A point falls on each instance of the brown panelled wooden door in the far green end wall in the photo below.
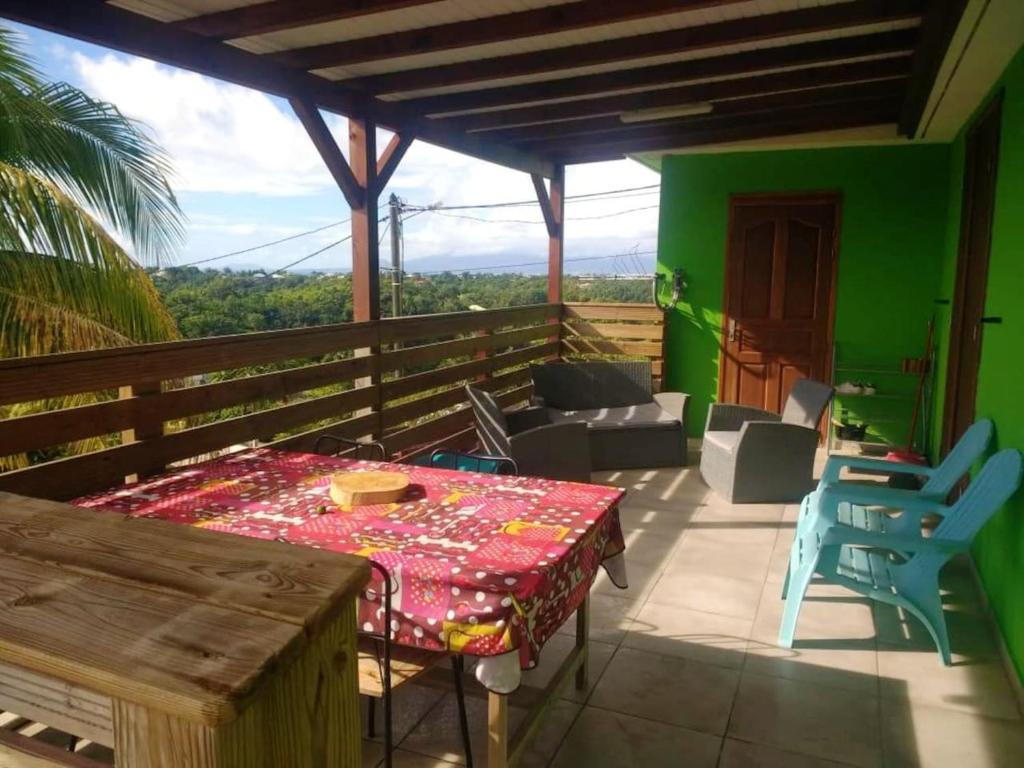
(779, 297)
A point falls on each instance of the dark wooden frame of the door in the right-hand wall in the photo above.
(958, 311)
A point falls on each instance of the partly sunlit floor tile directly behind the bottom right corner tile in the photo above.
(973, 687)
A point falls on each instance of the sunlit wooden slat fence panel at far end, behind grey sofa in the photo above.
(593, 331)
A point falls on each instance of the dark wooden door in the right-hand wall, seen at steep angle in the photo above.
(980, 166)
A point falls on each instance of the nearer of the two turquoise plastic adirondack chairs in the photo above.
(899, 569)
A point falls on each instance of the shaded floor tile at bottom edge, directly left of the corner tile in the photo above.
(808, 718)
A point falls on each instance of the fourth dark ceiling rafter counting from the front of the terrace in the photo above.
(747, 63)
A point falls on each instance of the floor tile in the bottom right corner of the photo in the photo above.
(917, 737)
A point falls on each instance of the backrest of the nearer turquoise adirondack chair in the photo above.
(993, 487)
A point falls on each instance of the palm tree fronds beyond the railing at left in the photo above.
(76, 178)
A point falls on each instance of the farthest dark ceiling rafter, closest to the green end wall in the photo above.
(775, 124)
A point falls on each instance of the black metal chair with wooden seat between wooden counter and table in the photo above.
(385, 667)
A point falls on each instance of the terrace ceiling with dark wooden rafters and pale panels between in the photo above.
(535, 83)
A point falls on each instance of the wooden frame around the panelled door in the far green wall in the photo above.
(833, 198)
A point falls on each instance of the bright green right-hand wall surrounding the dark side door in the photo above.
(1000, 548)
